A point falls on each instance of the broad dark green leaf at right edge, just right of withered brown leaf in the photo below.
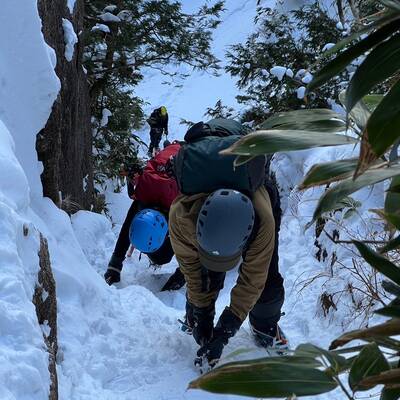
(383, 127)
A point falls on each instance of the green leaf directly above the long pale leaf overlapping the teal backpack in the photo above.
(303, 118)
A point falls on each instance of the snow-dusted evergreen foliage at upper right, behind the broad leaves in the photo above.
(293, 41)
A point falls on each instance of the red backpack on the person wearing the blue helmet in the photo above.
(155, 186)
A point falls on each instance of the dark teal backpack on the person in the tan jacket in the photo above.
(199, 167)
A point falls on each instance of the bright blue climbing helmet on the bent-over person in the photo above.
(148, 230)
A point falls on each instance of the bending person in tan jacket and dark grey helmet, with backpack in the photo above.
(226, 218)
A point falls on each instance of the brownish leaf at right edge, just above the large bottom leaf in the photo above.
(377, 333)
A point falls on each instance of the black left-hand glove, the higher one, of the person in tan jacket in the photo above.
(201, 320)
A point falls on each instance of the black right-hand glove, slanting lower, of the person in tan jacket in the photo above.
(228, 324)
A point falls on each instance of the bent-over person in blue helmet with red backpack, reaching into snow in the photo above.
(145, 227)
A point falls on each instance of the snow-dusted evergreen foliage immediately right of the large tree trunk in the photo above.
(120, 42)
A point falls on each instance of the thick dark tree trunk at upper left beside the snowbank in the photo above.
(65, 144)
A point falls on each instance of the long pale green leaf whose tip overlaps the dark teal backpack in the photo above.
(272, 141)
